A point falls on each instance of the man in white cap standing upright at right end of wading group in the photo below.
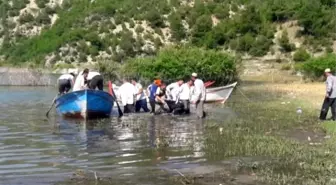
(199, 95)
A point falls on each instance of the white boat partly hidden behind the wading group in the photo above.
(219, 94)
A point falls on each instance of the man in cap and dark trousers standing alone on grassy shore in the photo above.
(330, 96)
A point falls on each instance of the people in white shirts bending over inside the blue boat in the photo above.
(85, 80)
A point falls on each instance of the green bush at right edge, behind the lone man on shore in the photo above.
(315, 67)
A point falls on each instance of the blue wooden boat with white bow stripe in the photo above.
(86, 104)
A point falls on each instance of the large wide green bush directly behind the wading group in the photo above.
(178, 63)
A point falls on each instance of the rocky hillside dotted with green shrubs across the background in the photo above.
(50, 32)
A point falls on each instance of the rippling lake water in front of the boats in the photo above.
(35, 150)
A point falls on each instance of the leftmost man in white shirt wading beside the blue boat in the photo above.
(127, 93)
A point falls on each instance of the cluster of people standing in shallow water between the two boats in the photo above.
(174, 98)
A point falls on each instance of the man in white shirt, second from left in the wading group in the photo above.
(141, 100)
